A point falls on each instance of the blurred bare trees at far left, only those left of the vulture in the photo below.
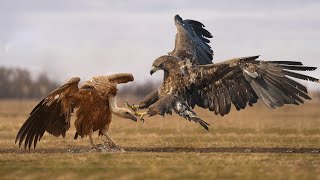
(17, 83)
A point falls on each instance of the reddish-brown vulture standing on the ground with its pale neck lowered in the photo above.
(95, 101)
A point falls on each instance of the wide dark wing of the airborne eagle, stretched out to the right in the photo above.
(242, 81)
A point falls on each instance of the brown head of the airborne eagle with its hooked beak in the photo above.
(165, 63)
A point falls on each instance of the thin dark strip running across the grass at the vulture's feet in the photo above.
(278, 150)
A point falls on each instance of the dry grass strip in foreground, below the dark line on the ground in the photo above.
(163, 166)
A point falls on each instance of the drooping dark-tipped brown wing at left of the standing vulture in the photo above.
(52, 114)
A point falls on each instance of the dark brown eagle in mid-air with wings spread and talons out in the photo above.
(190, 79)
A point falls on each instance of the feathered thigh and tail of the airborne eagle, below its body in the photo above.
(169, 102)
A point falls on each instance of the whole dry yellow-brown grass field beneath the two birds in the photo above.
(256, 143)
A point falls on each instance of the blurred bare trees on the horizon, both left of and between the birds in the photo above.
(17, 83)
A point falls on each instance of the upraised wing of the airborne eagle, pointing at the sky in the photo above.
(192, 41)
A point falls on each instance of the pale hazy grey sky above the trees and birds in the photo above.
(83, 38)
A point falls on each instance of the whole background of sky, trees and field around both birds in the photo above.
(43, 43)
